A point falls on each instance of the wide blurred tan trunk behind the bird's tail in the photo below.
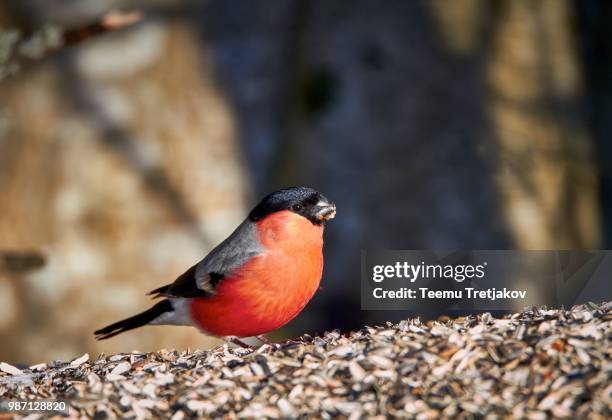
(119, 162)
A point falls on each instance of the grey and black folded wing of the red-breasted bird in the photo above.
(203, 278)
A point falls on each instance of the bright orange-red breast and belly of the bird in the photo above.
(270, 289)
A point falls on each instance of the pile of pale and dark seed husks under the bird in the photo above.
(534, 364)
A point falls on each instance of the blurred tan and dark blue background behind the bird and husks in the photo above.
(126, 154)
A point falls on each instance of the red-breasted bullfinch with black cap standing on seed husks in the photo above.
(255, 281)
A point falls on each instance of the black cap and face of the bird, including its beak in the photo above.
(300, 200)
